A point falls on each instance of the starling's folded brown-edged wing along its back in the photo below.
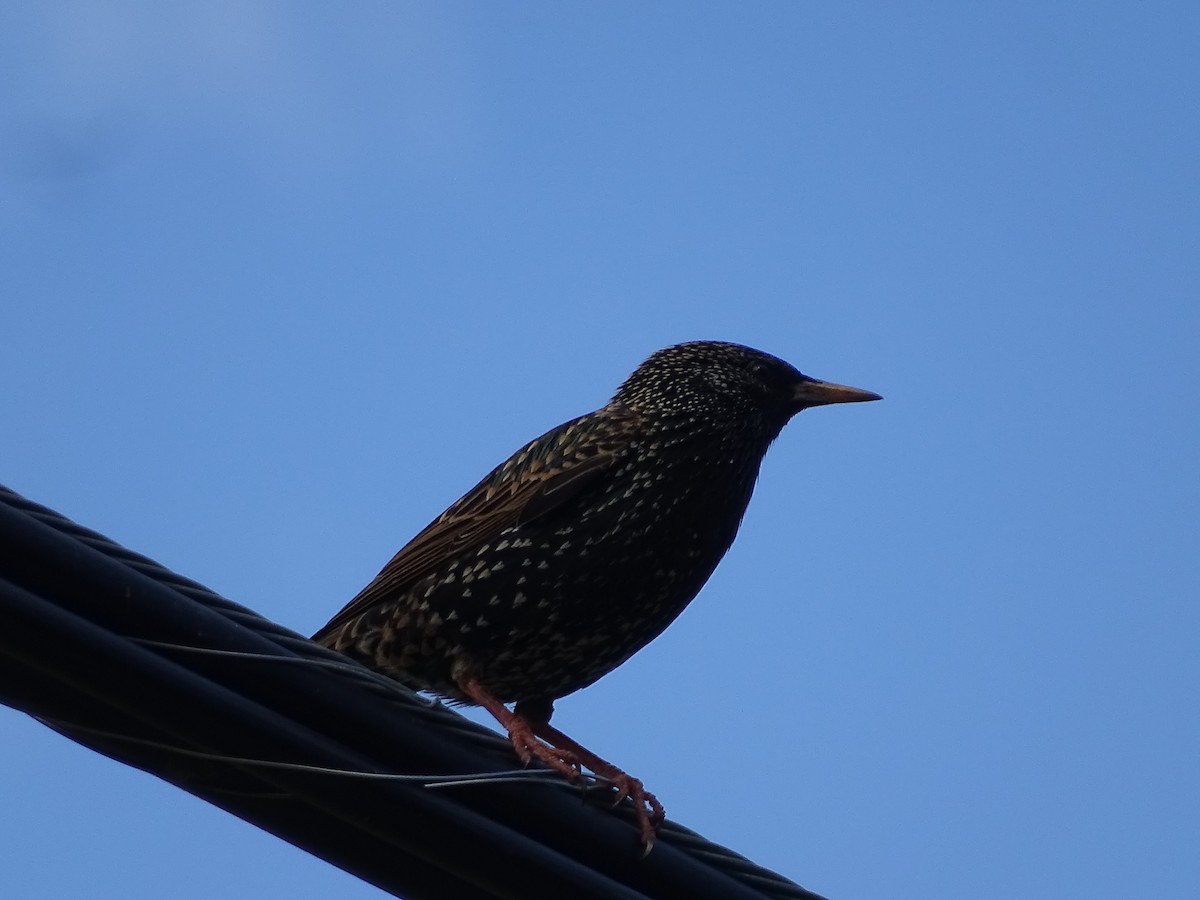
(543, 476)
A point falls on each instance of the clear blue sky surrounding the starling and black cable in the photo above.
(280, 281)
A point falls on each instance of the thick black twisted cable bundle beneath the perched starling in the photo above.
(151, 669)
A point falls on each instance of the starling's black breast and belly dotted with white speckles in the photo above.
(553, 605)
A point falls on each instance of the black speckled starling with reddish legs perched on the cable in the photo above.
(583, 548)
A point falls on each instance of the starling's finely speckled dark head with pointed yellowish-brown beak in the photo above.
(721, 382)
